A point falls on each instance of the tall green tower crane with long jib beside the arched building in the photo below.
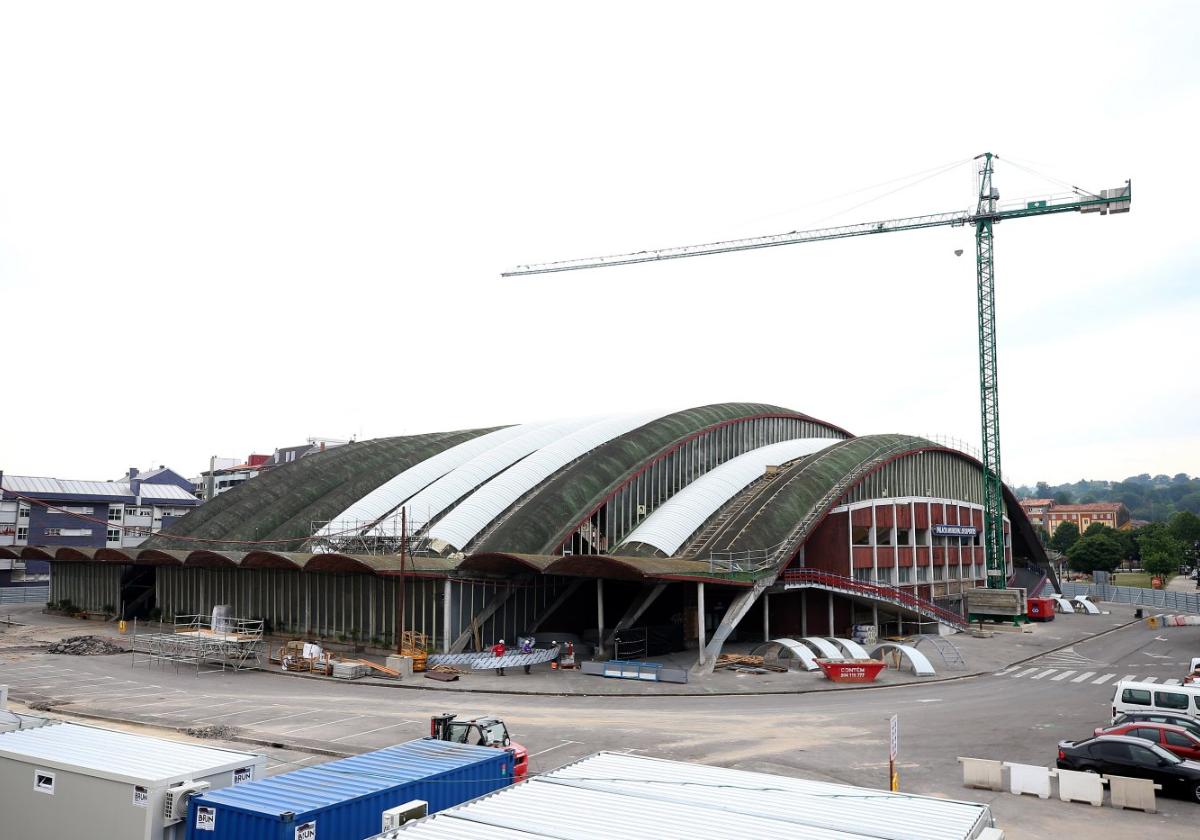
(988, 213)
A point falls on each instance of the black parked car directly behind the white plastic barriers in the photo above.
(1125, 757)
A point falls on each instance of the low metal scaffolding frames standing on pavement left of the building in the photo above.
(199, 643)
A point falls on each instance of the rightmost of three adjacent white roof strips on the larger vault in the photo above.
(477, 512)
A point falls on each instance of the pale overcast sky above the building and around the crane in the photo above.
(226, 227)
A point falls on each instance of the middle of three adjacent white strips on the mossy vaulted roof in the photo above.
(443, 494)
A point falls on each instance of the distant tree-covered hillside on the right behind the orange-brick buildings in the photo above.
(1153, 499)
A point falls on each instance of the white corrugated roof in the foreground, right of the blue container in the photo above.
(617, 795)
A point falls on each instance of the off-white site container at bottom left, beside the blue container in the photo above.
(70, 781)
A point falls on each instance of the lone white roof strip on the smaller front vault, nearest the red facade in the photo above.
(681, 517)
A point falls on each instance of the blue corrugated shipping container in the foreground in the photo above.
(344, 800)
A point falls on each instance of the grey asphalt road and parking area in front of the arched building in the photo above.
(1054, 683)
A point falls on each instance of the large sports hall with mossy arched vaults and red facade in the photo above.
(713, 525)
